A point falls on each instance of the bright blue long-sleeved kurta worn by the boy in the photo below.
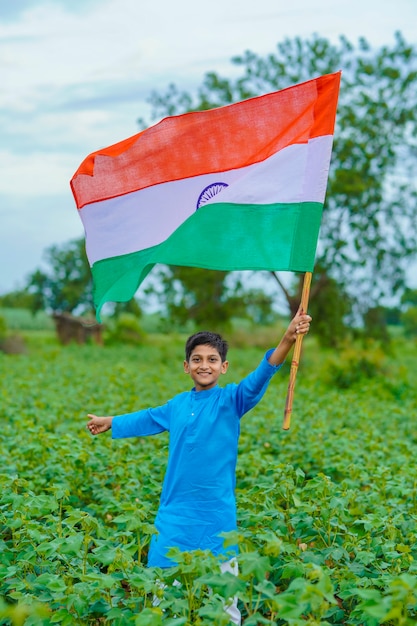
(198, 495)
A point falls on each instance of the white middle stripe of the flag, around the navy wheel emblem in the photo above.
(147, 217)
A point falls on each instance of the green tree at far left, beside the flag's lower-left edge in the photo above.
(67, 285)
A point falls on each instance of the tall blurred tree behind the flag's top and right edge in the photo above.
(367, 235)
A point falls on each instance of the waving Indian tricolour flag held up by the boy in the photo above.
(233, 188)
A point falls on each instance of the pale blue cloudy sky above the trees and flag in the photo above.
(76, 76)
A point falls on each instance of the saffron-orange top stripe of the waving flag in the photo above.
(203, 142)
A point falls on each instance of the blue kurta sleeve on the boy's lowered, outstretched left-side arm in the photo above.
(141, 423)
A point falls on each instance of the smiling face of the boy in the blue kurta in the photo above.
(205, 366)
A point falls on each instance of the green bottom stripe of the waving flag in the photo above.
(280, 237)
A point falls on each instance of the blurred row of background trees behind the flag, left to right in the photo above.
(368, 237)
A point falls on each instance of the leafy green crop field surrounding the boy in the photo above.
(327, 511)
